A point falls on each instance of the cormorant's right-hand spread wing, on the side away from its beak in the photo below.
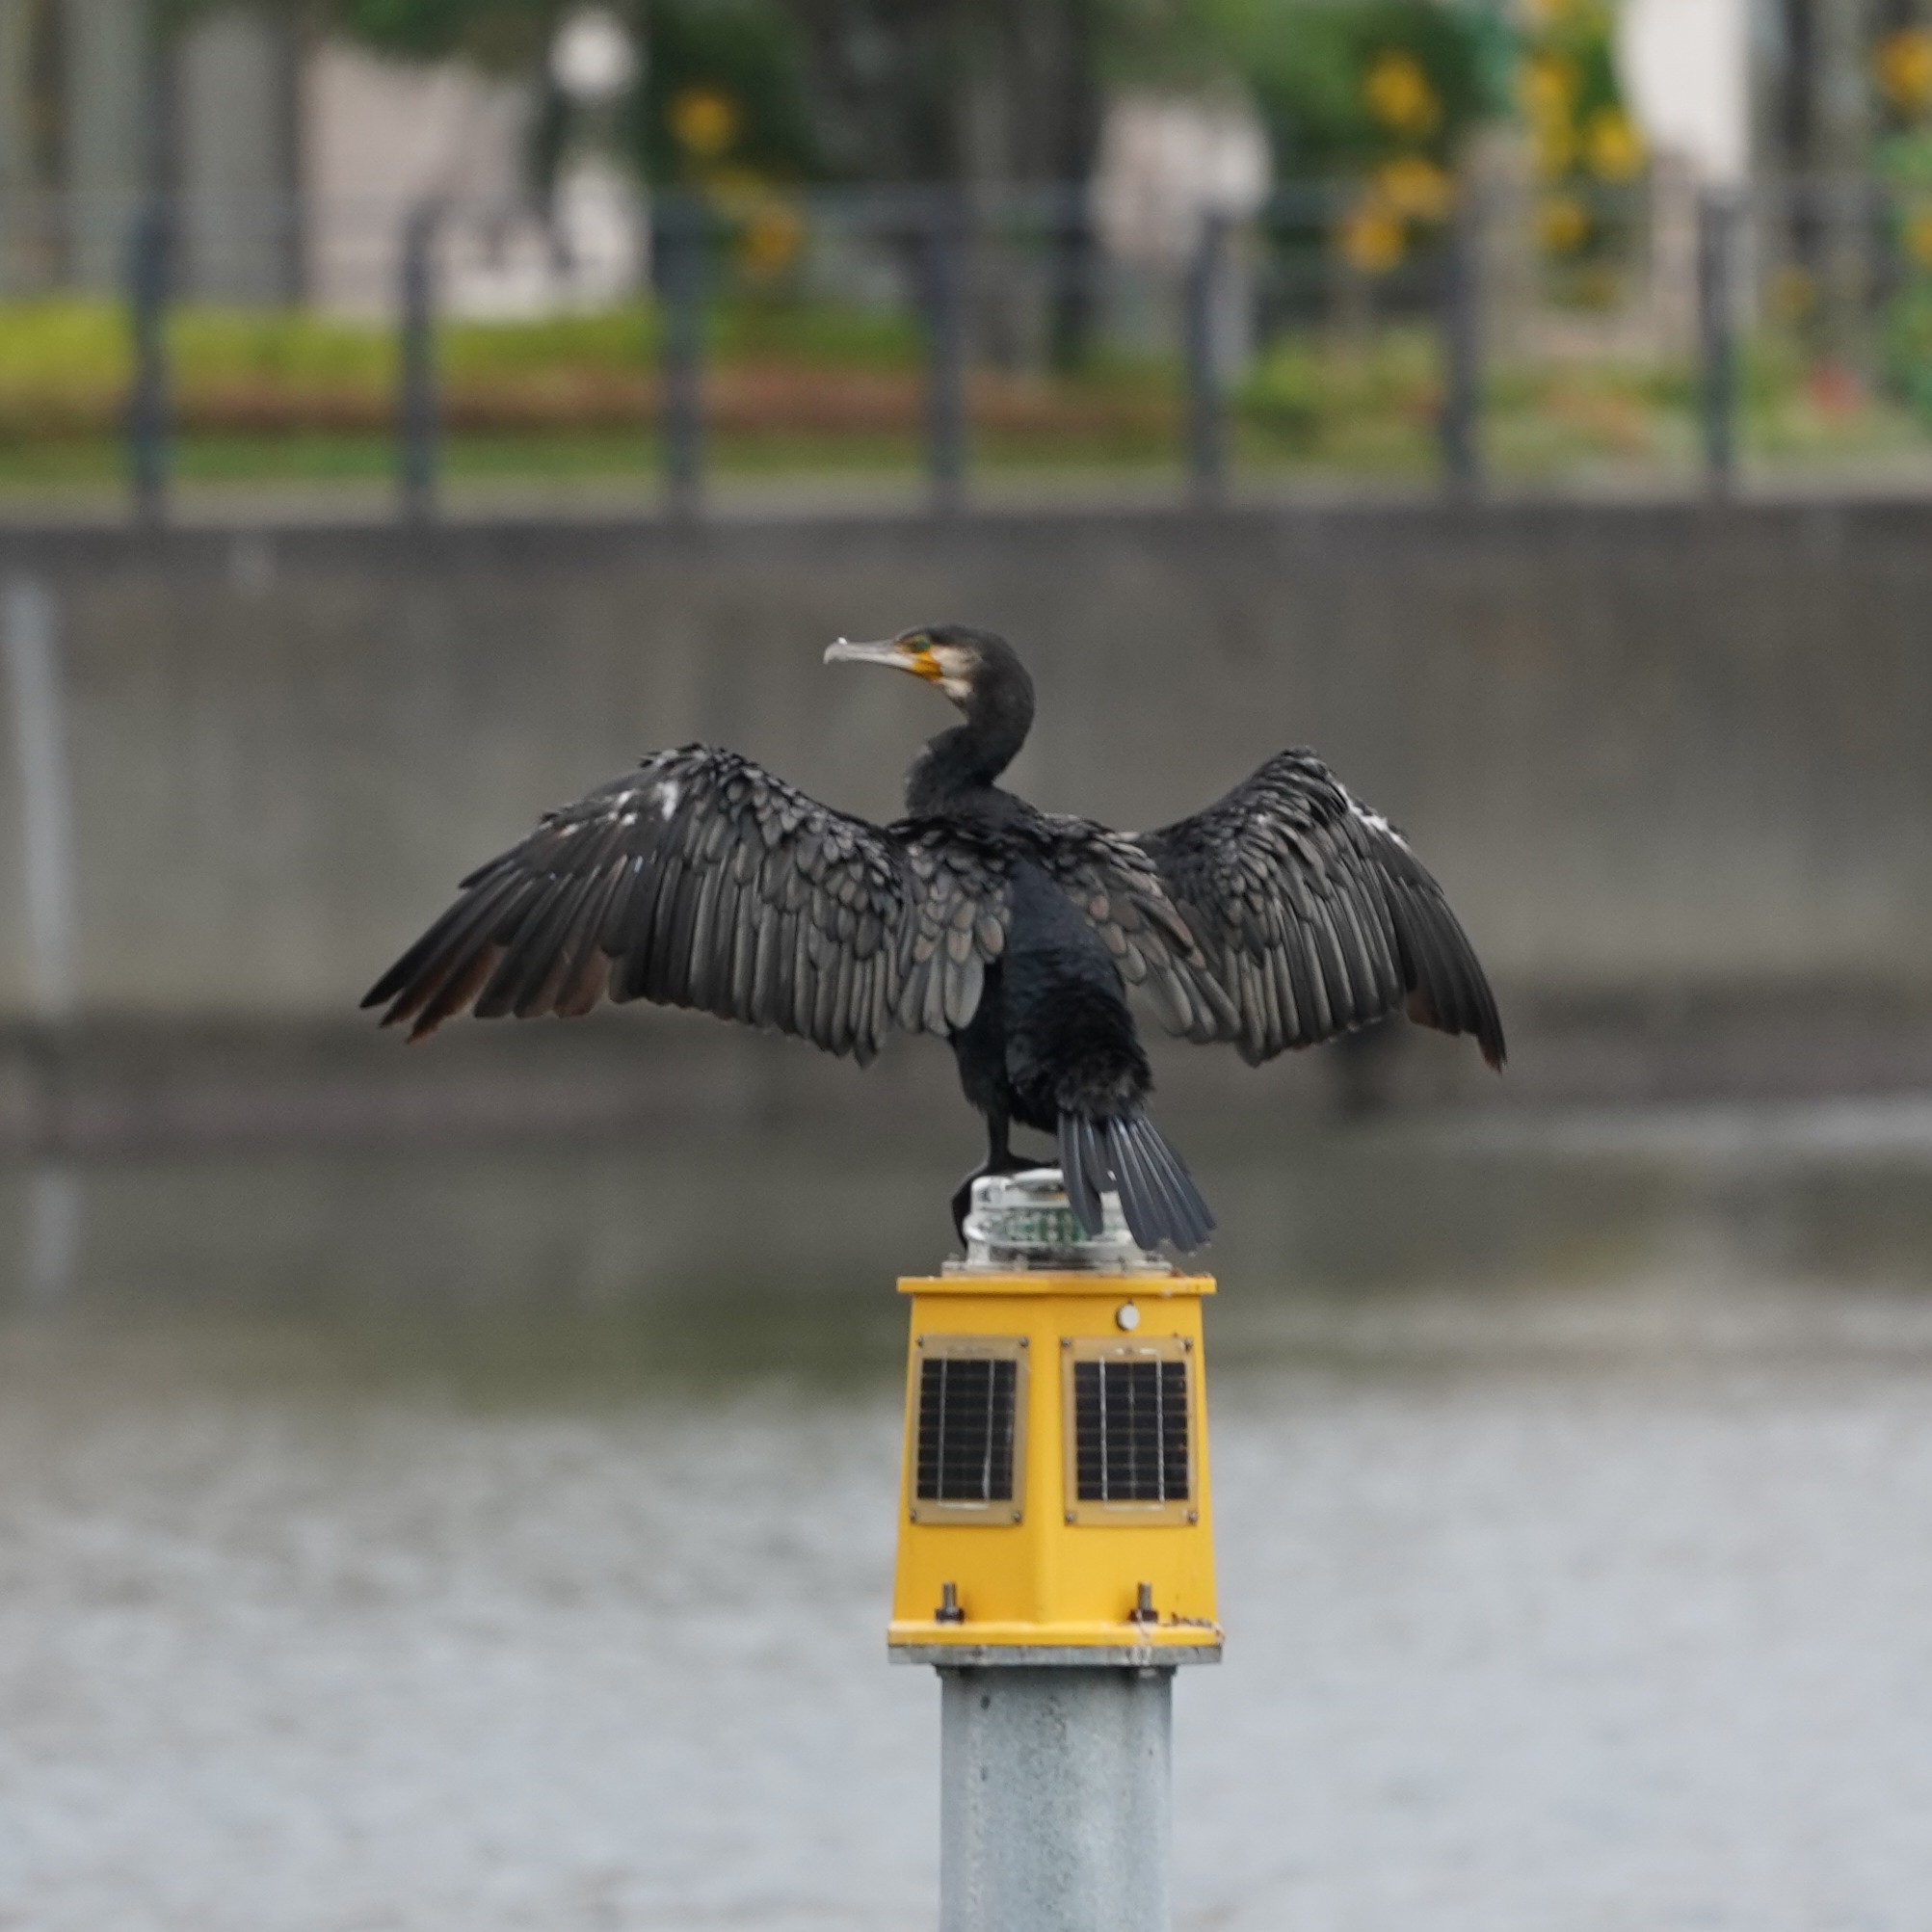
(1315, 917)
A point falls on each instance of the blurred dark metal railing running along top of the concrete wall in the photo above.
(1506, 339)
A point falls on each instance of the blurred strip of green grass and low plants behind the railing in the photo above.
(1313, 405)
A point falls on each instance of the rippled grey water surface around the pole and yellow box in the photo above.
(499, 1541)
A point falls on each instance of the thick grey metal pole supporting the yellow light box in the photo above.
(1056, 1800)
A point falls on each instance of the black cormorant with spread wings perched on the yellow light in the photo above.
(1282, 917)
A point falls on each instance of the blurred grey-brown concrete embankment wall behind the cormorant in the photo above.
(1645, 749)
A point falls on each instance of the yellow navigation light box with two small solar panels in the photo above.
(1056, 1467)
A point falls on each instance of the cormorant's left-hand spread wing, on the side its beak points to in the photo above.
(698, 880)
